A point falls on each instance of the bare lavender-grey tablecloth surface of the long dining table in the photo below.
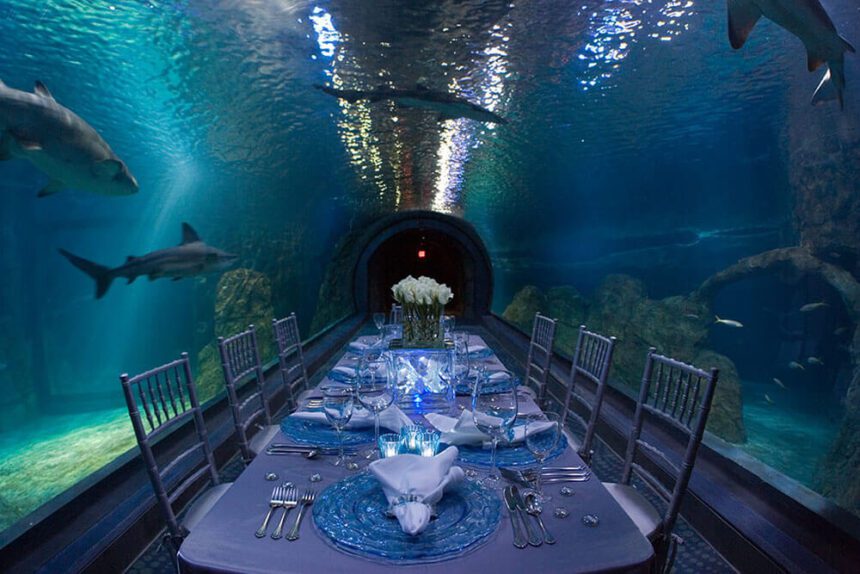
(224, 540)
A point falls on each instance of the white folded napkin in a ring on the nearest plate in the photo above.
(412, 484)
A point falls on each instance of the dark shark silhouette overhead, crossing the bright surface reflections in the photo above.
(447, 106)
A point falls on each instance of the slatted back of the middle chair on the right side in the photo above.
(592, 359)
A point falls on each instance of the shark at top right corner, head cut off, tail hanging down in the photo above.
(807, 20)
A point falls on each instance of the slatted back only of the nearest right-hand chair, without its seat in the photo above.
(681, 395)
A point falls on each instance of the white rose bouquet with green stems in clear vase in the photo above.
(423, 302)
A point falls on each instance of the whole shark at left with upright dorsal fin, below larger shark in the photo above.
(191, 257)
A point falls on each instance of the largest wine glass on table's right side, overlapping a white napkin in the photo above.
(494, 414)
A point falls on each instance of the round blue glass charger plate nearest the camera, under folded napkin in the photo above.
(351, 515)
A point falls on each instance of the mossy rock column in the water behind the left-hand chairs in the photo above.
(243, 297)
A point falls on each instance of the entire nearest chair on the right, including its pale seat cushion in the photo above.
(679, 395)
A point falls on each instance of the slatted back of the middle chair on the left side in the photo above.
(240, 360)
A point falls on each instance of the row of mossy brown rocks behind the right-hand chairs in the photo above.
(676, 326)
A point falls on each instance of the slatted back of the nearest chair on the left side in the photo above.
(159, 401)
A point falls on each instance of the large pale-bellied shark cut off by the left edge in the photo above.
(33, 126)
